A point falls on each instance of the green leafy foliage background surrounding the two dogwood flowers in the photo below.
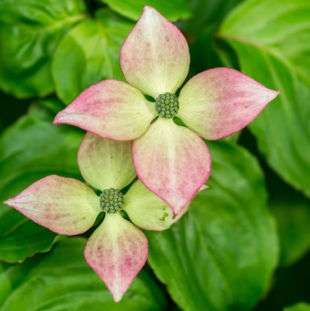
(244, 244)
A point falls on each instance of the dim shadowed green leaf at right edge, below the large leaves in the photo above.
(293, 219)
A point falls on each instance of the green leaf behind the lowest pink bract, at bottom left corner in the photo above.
(62, 281)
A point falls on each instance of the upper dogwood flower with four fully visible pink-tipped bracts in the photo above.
(170, 160)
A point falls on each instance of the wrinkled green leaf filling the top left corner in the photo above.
(29, 33)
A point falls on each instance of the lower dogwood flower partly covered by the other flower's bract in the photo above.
(117, 249)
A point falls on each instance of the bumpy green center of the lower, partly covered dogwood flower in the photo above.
(111, 200)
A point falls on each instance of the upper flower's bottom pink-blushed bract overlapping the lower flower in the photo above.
(172, 162)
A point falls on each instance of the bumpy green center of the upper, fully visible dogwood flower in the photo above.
(167, 105)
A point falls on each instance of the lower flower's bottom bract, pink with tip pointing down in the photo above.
(117, 251)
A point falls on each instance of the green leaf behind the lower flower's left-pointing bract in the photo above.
(29, 150)
